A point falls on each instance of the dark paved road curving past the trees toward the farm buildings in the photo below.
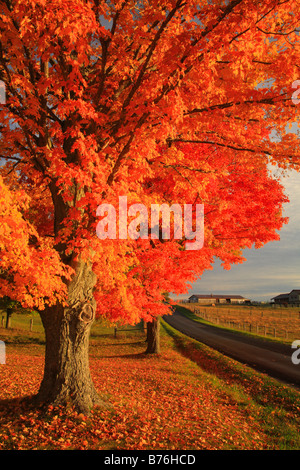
(271, 358)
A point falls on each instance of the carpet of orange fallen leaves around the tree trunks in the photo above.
(158, 402)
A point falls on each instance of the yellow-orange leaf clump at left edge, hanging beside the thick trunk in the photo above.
(30, 268)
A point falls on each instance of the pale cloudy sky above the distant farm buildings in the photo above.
(269, 271)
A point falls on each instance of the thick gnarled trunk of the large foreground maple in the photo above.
(67, 376)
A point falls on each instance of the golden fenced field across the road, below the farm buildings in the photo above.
(280, 322)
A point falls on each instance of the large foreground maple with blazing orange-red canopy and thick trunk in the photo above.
(161, 102)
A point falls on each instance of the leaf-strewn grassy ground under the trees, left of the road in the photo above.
(188, 397)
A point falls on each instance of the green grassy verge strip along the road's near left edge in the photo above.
(275, 406)
